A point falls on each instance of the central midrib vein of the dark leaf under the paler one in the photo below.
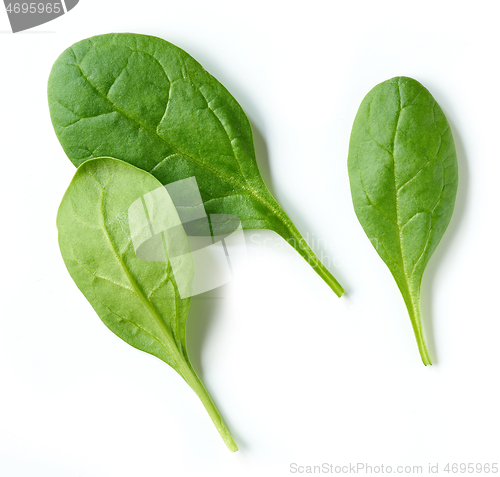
(176, 150)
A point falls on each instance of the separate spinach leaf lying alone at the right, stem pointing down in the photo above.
(404, 175)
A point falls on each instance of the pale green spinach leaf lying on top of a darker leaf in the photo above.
(136, 299)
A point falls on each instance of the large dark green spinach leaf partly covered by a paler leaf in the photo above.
(143, 100)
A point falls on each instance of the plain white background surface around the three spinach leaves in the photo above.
(299, 375)
